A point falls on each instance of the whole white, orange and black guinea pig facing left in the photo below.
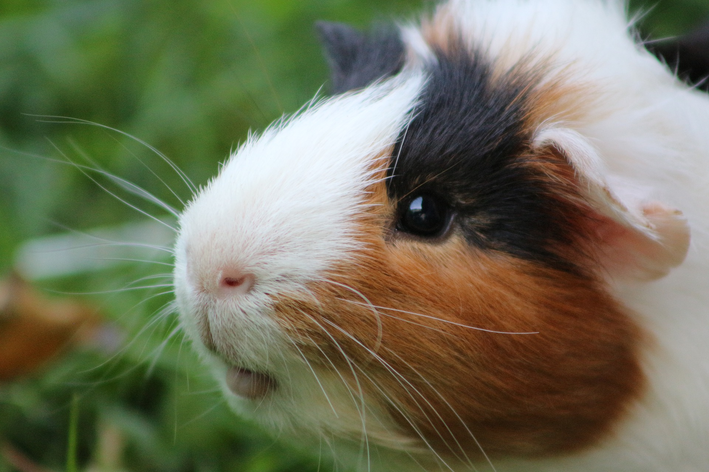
(475, 255)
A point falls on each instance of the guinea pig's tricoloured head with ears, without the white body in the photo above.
(423, 261)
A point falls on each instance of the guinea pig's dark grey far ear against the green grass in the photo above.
(357, 59)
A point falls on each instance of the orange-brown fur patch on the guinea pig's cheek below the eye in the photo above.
(429, 330)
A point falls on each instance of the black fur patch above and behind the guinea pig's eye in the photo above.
(466, 145)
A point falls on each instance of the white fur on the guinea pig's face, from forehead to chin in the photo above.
(283, 208)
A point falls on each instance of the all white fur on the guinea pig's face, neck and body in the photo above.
(283, 208)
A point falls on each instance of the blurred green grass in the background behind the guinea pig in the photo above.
(190, 78)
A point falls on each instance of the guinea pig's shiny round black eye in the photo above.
(424, 215)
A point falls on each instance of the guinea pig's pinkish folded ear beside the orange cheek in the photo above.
(639, 238)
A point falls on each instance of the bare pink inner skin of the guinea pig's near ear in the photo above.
(644, 254)
